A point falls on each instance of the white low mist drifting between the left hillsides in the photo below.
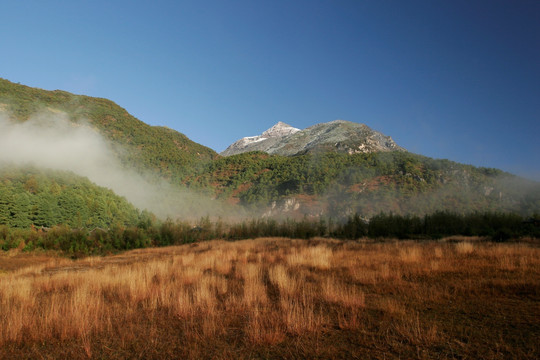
(51, 140)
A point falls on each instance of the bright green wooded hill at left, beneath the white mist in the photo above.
(32, 196)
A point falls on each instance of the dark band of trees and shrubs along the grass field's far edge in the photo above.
(77, 242)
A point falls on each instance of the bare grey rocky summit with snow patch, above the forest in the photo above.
(336, 136)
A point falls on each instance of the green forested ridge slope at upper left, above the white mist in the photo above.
(159, 149)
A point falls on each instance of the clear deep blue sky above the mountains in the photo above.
(455, 79)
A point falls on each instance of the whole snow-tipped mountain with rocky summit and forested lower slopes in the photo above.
(340, 168)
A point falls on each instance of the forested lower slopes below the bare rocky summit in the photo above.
(340, 184)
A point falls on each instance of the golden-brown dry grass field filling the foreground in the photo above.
(276, 298)
